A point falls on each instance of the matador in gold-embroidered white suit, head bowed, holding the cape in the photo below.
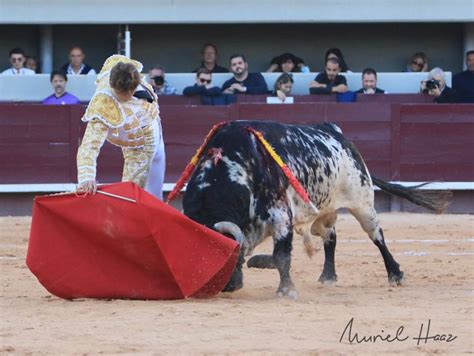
(128, 119)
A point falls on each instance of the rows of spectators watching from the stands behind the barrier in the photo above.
(328, 81)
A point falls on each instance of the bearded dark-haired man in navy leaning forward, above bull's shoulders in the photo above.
(243, 82)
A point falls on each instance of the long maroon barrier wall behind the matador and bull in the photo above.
(408, 142)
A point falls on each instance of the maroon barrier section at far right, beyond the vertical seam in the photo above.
(437, 142)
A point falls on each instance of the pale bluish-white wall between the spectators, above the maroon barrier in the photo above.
(38, 87)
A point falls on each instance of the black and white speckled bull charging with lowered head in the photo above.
(239, 190)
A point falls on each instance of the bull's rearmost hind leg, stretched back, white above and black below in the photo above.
(367, 218)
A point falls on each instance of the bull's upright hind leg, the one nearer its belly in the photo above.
(324, 227)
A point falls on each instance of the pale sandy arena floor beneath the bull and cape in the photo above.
(435, 252)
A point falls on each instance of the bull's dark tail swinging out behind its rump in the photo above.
(433, 200)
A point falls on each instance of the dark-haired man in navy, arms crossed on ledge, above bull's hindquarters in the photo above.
(329, 81)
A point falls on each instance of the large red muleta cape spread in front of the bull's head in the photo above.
(99, 246)
